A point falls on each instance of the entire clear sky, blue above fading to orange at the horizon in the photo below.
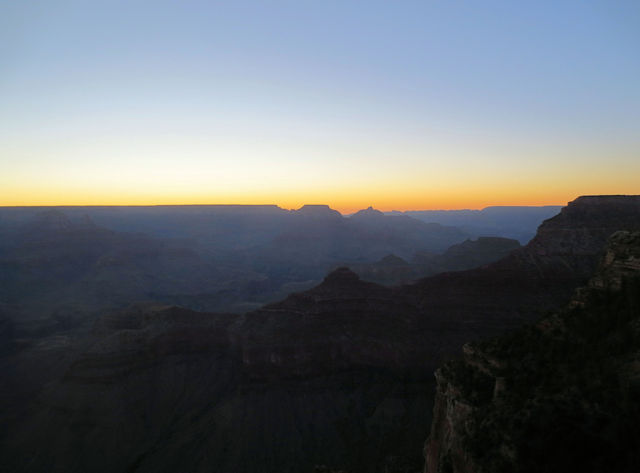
(396, 104)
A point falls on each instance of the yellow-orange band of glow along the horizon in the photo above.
(384, 196)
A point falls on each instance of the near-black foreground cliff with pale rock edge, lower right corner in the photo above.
(561, 395)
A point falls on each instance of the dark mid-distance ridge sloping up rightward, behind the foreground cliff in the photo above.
(335, 378)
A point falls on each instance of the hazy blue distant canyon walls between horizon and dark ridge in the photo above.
(58, 268)
